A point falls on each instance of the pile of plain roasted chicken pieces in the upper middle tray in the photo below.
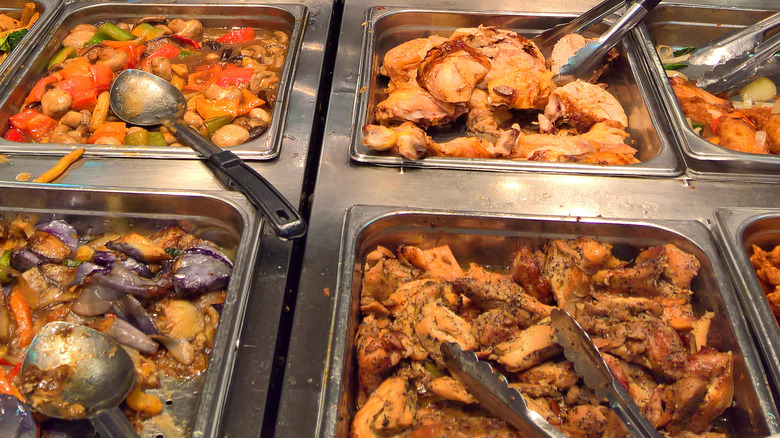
(502, 85)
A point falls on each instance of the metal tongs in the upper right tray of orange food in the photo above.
(739, 66)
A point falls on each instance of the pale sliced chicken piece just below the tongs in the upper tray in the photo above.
(582, 105)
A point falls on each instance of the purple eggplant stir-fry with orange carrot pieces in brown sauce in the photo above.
(159, 295)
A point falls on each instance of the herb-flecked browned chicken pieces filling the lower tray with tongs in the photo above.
(638, 313)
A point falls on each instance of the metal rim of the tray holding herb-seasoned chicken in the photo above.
(360, 217)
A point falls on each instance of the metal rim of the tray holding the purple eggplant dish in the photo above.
(206, 421)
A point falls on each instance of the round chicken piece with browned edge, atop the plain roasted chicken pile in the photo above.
(451, 71)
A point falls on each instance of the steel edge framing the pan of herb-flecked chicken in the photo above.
(360, 217)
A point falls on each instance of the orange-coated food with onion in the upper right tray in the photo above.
(744, 120)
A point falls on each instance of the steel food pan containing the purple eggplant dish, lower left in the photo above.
(195, 405)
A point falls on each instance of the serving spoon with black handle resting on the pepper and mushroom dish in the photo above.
(143, 99)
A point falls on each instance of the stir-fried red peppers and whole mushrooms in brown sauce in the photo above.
(230, 79)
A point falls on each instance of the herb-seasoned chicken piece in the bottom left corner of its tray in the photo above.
(390, 409)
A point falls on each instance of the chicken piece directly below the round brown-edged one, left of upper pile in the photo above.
(410, 103)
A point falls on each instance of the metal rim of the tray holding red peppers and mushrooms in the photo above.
(270, 143)
